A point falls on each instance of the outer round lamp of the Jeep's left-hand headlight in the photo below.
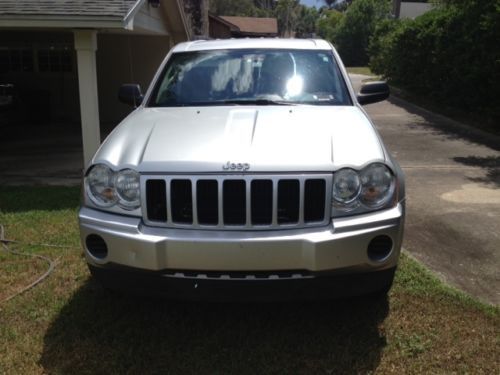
(99, 185)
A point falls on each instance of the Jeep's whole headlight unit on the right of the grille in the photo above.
(356, 192)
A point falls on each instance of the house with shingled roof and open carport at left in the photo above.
(66, 59)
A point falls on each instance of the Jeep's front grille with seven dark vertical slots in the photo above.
(236, 202)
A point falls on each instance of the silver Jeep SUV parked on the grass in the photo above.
(248, 169)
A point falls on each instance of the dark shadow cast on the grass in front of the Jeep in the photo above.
(98, 332)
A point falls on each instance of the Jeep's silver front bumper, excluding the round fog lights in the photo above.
(340, 247)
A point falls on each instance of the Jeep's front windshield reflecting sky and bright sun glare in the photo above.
(238, 77)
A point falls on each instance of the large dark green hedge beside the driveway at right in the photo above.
(449, 54)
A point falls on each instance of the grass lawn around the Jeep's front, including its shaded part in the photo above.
(68, 324)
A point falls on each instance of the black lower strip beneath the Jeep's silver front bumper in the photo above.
(323, 285)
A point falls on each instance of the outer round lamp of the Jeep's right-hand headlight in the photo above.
(377, 185)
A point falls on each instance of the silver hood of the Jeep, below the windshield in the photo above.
(267, 139)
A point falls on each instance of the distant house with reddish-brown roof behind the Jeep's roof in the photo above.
(221, 27)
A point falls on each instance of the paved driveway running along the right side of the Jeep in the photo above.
(453, 193)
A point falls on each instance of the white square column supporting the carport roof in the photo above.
(85, 46)
